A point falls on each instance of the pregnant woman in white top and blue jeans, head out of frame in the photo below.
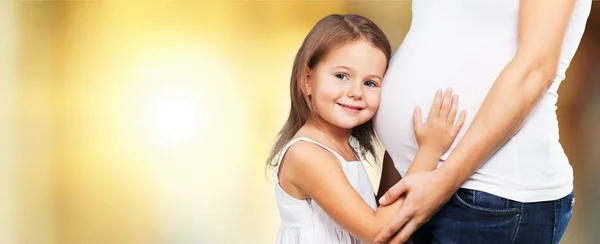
(506, 179)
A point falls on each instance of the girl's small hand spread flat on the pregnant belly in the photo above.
(438, 133)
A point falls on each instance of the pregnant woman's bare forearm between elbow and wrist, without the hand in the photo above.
(511, 99)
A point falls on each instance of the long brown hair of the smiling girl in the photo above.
(329, 33)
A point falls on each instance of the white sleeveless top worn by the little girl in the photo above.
(303, 221)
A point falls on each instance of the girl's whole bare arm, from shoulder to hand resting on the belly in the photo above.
(318, 173)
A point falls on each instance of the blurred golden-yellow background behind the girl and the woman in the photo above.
(149, 121)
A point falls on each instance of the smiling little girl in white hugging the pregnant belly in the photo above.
(323, 191)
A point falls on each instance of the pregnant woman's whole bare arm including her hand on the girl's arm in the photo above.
(518, 88)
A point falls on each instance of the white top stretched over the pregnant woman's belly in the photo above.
(465, 44)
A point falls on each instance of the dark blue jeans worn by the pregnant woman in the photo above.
(477, 217)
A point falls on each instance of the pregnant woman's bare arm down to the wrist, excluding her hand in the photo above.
(520, 86)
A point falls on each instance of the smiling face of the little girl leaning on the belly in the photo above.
(345, 87)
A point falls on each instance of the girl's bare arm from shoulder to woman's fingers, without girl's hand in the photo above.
(318, 174)
